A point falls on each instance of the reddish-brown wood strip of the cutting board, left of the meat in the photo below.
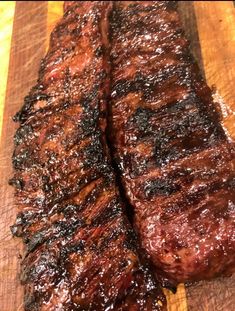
(28, 47)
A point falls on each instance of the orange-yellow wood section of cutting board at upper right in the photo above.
(216, 28)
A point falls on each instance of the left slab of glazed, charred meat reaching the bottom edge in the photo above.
(81, 253)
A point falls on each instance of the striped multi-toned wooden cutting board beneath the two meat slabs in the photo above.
(25, 27)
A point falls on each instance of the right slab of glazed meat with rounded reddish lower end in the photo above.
(176, 163)
